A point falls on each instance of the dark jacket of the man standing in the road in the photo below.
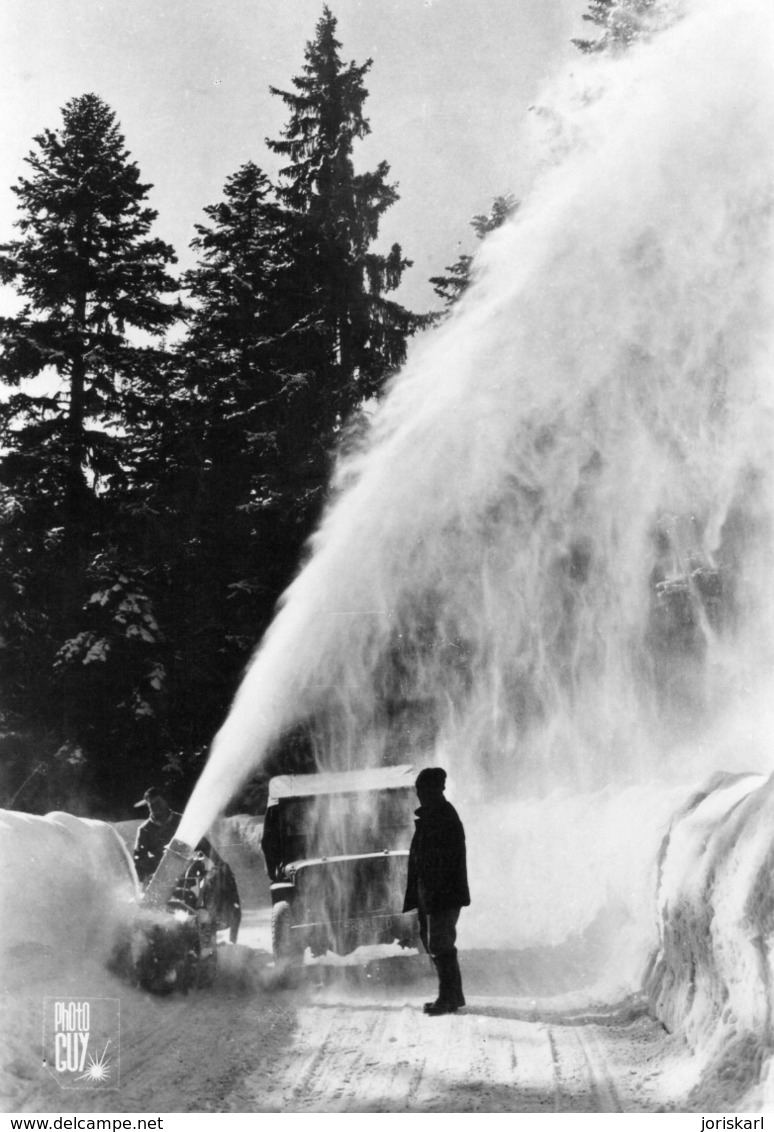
(437, 864)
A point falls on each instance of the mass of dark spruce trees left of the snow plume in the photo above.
(156, 499)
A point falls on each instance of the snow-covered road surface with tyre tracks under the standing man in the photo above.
(354, 1039)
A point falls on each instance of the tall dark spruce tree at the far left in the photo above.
(89, 275)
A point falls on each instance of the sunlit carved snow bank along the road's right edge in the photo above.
(712, 976)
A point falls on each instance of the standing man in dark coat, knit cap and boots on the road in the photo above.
(437, 886)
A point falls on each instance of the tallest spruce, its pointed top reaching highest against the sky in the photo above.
(349, 336)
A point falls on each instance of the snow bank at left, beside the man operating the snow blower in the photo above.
(66, 885)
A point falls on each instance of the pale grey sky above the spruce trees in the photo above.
(188, 80)
